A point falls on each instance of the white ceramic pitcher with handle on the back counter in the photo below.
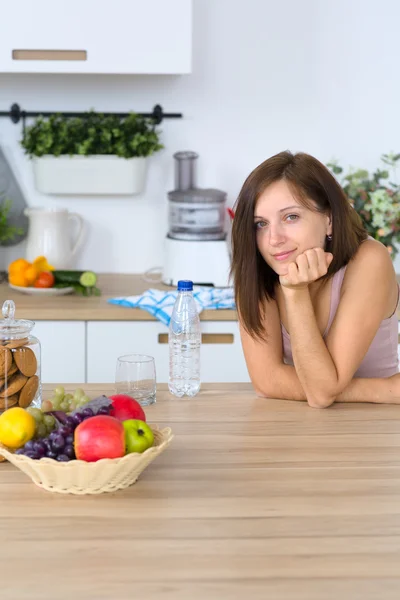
(49, 235)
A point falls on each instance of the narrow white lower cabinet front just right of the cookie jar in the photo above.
(63, 350)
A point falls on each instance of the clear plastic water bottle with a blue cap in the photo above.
(184, 343)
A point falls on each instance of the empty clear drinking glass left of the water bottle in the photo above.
(136, 376)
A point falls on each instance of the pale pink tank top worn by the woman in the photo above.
(381, 359)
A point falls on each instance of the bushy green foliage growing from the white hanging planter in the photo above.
(92, 134)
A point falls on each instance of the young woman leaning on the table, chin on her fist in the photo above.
(316, 296)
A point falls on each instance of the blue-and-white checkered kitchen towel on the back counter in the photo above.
(160, 303)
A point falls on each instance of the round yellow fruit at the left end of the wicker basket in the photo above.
(17, 427)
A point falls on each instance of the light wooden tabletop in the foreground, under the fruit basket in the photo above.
(253, 499)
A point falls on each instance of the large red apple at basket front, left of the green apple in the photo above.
(99, 437)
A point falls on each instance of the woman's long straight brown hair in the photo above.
(254, 280)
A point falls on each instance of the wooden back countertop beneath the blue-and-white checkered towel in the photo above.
(75, 308)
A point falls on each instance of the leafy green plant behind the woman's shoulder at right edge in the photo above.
(376, 199)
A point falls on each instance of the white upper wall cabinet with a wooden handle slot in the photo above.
(87, 36)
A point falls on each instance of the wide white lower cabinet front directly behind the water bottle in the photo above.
(221, 360)
